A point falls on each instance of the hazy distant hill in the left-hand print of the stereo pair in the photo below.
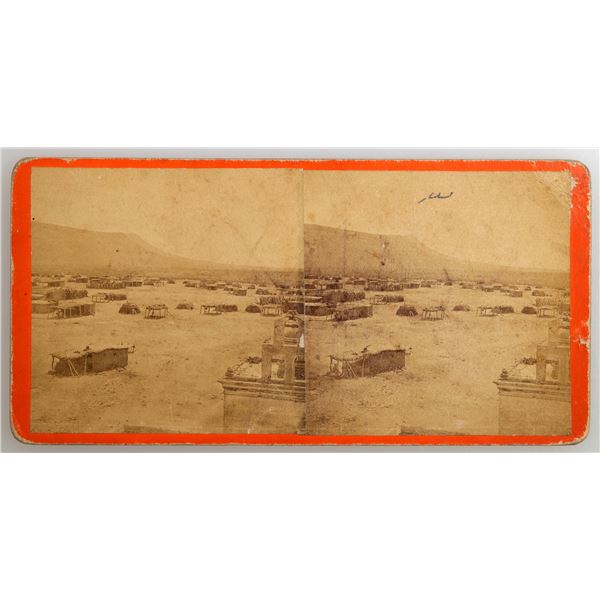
(55, 248)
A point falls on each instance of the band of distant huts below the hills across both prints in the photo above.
(336, 298)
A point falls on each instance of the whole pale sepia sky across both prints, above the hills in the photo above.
(254, 216)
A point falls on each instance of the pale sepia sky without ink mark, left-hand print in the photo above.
(235, 216)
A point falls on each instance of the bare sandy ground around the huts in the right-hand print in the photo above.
(447, 384)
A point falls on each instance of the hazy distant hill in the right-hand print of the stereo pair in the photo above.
(331, 251)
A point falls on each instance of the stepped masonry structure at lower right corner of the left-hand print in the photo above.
(267, 394)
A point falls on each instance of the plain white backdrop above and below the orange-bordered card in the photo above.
(306, 74)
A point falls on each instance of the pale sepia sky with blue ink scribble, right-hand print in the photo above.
(511, 219)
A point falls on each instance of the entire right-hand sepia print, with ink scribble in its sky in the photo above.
(437, 302)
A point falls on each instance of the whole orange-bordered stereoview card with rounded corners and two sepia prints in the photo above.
(300, 302)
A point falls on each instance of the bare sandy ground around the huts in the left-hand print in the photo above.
(171, 381)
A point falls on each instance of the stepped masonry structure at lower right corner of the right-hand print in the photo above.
(535, 398)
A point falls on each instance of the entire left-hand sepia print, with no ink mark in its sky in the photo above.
(166, 300)
